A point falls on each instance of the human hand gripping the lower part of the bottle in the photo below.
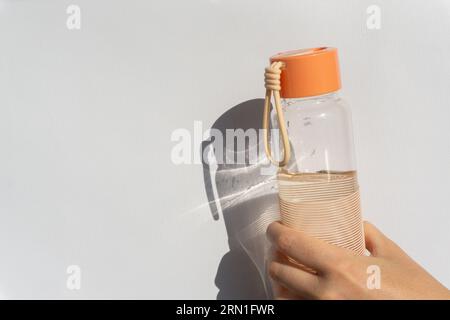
(341, 273)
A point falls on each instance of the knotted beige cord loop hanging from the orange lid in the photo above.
(273, 86)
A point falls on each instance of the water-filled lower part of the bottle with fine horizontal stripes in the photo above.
(323, 204)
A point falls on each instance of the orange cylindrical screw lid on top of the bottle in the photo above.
(308, 72)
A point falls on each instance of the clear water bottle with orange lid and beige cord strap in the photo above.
(318, 187)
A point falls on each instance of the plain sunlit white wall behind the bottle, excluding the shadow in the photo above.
(86, 118)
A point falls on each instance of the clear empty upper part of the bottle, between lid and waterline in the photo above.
(320, 132)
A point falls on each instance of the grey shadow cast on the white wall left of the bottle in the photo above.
(241, 190)
